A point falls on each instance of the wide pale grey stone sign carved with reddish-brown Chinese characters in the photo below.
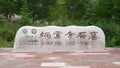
(59, 38)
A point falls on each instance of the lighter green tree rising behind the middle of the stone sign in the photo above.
(58, 13)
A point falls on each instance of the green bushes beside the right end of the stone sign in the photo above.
(112, 32)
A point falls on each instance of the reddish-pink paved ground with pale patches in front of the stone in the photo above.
(109, 58)
